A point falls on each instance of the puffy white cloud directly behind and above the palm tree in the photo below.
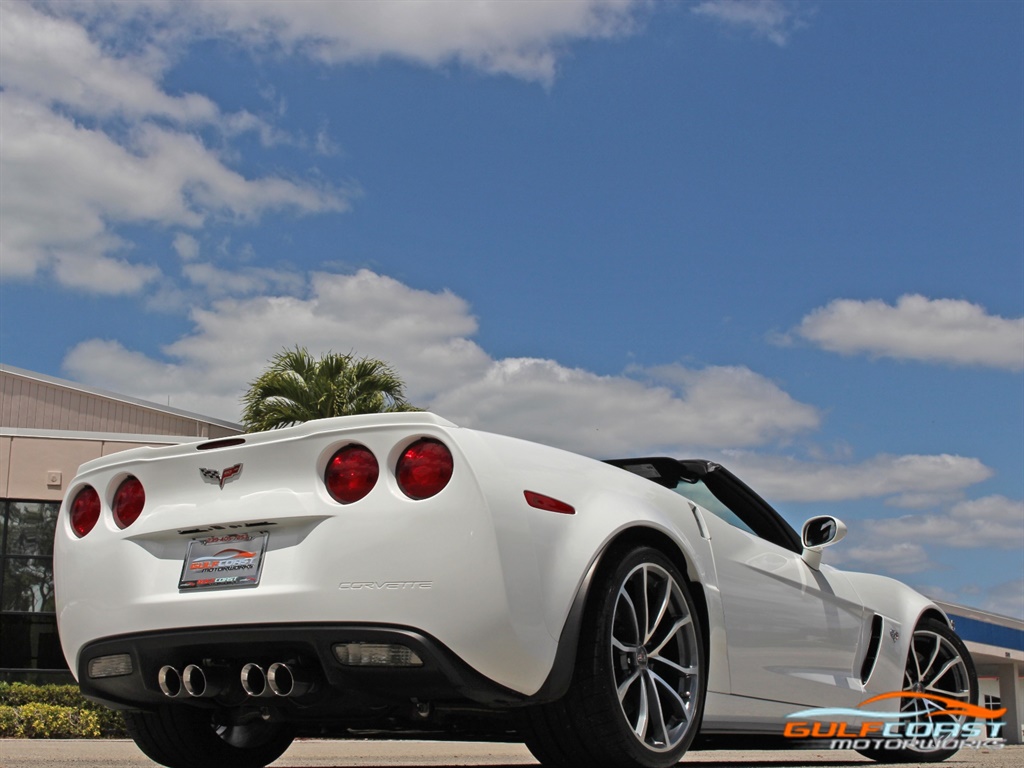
(424, 335)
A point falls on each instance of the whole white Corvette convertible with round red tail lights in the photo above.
(398, 574)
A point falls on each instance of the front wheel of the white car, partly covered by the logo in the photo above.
(937, 663)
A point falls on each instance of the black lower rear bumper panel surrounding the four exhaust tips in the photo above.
(443, 677)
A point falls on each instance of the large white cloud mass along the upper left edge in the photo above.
(92, 142)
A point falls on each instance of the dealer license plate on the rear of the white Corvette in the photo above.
(224, 562)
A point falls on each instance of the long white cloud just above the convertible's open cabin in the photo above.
(604, 415)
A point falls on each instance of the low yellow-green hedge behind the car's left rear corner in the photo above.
(55, 712)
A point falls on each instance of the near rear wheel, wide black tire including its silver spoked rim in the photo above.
(638, 687)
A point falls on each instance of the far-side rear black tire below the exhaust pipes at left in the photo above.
(182, 737)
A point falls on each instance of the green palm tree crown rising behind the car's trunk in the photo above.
(298, 388)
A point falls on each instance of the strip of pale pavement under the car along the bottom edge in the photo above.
(352, 754)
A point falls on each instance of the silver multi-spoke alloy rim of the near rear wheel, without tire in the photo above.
(655, 658)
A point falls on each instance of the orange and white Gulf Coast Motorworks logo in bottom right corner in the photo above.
(925, 722)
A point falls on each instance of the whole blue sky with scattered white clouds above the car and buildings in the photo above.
(788, 236)
